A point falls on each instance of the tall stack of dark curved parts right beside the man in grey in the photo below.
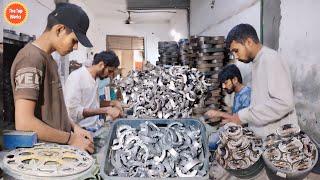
(210, 58)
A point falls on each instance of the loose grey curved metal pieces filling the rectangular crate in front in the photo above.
(150, 151)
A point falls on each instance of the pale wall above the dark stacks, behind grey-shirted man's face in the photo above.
(224, 15)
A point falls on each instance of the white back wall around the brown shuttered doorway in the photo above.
(152, 32)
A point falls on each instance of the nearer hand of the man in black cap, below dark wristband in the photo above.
(81, 142)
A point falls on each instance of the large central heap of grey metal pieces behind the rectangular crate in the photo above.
(163, 92)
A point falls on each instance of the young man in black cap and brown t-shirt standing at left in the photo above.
(38, 96)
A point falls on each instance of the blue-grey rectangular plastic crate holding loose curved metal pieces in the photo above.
(106, 166)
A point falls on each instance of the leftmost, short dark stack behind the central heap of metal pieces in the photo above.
(169, 53)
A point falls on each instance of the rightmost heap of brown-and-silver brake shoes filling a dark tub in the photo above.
(289, 149)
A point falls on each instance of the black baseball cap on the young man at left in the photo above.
(74, 18)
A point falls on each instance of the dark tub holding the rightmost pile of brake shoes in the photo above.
(275, 173)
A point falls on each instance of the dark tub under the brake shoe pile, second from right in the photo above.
(249, 172)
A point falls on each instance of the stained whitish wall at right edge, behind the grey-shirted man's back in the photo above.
(299, 43)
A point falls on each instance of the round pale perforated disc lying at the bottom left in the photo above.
(47, 161)
